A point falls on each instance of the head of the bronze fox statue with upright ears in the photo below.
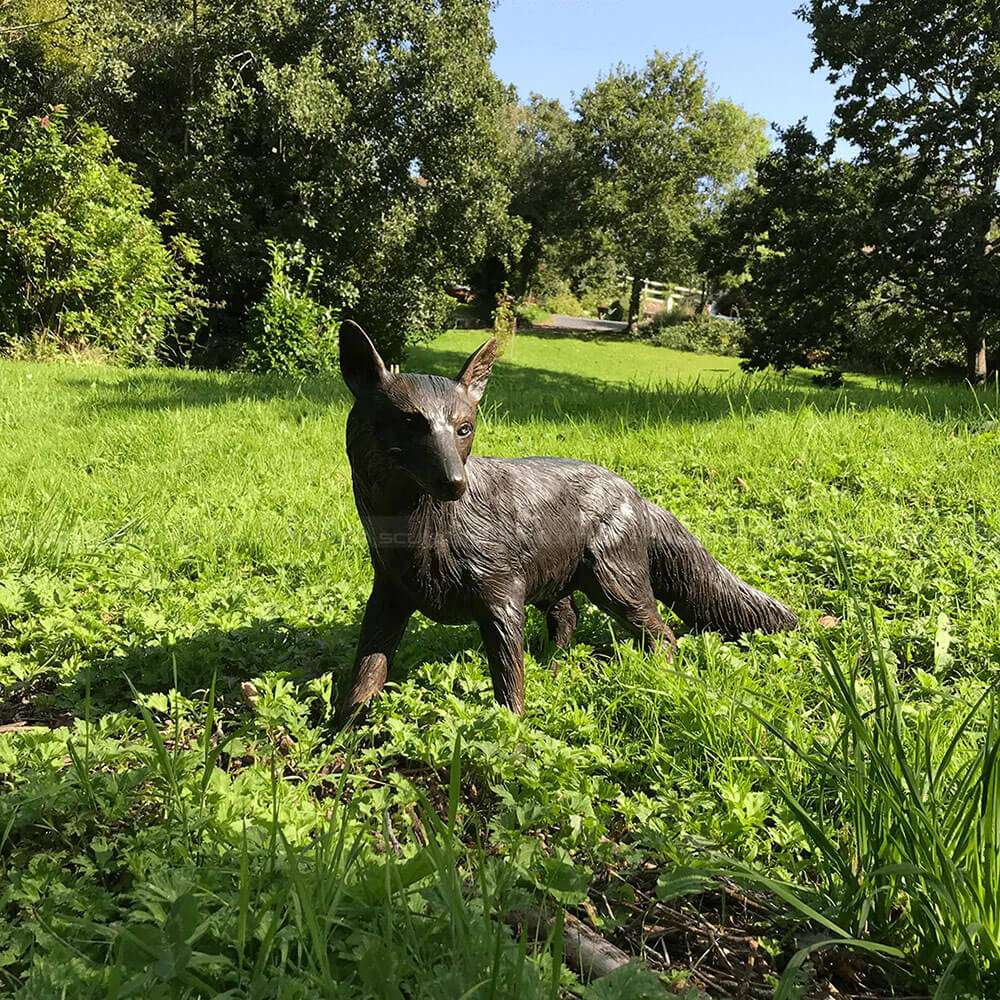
(422, 424)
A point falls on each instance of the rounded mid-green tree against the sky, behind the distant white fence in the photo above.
(664, 151)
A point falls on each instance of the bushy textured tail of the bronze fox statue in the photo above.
(701, 591)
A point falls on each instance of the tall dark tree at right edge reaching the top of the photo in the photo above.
(917, 86)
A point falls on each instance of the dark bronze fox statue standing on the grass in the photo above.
(467, 539)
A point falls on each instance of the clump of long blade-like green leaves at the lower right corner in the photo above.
(913, 856)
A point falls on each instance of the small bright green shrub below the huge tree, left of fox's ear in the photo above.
(289, 331)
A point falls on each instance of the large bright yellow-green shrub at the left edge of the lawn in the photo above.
(81, 263)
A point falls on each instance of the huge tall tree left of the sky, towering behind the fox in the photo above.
(371, 131)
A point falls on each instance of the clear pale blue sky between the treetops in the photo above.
(756, 52)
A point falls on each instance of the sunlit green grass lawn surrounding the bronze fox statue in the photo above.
(182, 576)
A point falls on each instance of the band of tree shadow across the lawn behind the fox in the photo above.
(523, 393)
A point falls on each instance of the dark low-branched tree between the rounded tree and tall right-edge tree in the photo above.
(795, 250)
